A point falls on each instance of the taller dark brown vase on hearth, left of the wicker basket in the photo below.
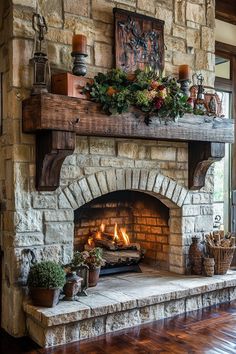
(196, 256)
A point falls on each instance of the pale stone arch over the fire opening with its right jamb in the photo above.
(151, 182)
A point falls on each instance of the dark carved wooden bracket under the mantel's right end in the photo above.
(202, 155)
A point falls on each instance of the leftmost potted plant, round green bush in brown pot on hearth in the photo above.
(45, 281)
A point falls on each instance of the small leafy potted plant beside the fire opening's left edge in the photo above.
(93, 259)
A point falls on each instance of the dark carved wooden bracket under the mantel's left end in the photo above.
(52, 147)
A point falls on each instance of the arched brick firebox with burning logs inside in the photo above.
(130, 226)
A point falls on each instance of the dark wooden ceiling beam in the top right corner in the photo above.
(226, 11)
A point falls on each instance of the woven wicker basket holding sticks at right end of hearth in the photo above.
(223, 257)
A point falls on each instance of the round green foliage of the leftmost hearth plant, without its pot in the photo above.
(46, 274)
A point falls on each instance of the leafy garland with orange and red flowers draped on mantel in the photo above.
(117, 91)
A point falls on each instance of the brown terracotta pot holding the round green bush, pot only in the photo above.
(45, 297)
